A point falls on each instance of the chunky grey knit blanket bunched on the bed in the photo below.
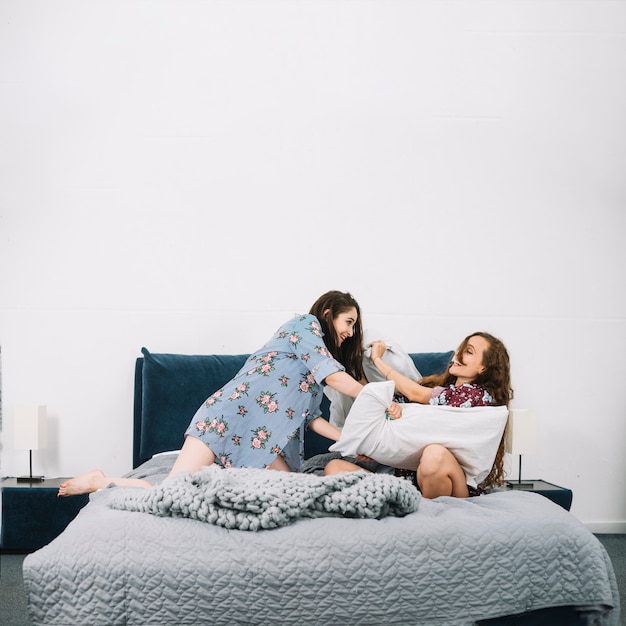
(254, 499)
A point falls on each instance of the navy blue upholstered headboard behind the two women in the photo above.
(169, 388)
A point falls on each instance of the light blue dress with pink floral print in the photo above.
(264, 409)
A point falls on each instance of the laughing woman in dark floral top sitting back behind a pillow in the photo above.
(479, 375)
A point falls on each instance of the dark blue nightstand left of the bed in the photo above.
(33, 515)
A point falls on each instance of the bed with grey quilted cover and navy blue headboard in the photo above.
(508, 557)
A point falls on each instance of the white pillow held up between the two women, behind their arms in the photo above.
(395, 357)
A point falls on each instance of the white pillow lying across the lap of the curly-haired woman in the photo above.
(472, 435)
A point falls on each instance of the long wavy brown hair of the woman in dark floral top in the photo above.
(496, 379)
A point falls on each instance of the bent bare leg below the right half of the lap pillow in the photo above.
(439, 474)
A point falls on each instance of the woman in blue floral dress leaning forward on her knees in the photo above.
(258, 418)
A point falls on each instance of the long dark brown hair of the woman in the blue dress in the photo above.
(350, 353)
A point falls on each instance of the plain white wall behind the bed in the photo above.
(185, 175)
